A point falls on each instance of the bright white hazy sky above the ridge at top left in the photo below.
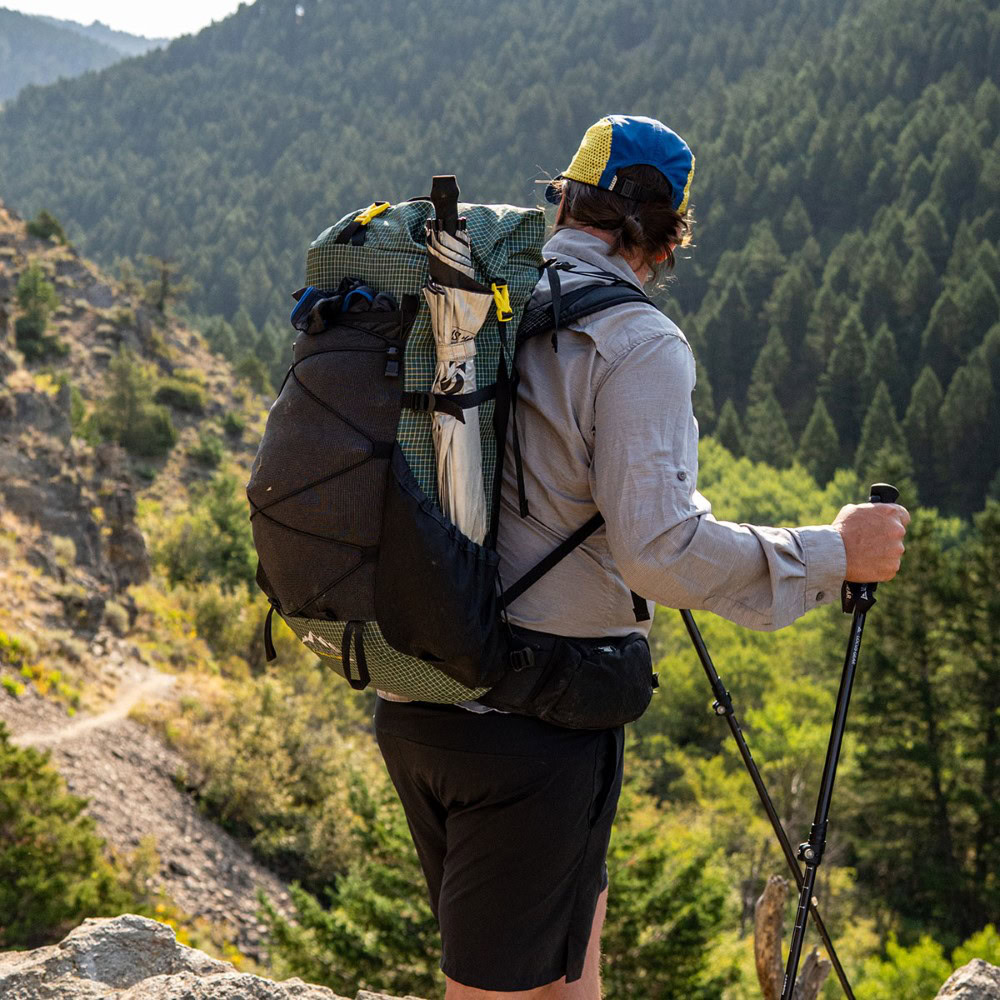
(152, 18)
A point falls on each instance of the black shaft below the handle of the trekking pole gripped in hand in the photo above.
(812, 852)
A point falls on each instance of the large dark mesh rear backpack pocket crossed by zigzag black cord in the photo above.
(318, 482)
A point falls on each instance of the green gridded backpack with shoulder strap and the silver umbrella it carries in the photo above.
(355, 551)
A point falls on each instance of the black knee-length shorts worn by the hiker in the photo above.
(511, 818)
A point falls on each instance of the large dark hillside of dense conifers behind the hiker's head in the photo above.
(842, 297)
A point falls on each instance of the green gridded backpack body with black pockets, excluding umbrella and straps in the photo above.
(355, 553)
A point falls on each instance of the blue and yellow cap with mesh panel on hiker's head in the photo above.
(618, 141)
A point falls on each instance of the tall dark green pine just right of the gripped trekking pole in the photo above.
(904, 801)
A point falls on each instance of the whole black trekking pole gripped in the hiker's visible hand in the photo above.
(859, 598)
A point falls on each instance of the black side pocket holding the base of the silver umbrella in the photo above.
(435, 589)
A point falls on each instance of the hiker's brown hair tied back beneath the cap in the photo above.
(646, 227)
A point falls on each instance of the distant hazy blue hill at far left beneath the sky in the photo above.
(33, 50)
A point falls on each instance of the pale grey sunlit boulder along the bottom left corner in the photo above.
(133, 958)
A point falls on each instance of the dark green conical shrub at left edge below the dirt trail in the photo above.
(53, 872)
